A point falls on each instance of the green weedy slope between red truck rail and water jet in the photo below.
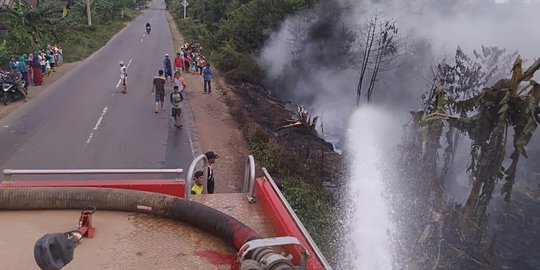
(315, 206)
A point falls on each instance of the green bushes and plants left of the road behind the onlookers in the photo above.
(25, 28)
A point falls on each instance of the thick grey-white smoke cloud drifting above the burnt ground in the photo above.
(305, 58)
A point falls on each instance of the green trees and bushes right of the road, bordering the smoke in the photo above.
(231, 32)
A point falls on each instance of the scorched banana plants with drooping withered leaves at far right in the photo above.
(485, 117)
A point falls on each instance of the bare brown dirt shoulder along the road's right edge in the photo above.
(214, 126)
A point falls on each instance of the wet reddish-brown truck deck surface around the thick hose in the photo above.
(128, 240)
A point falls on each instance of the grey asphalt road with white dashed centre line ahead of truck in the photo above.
(83, 121)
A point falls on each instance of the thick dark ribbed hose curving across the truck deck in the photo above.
(201, 216)
